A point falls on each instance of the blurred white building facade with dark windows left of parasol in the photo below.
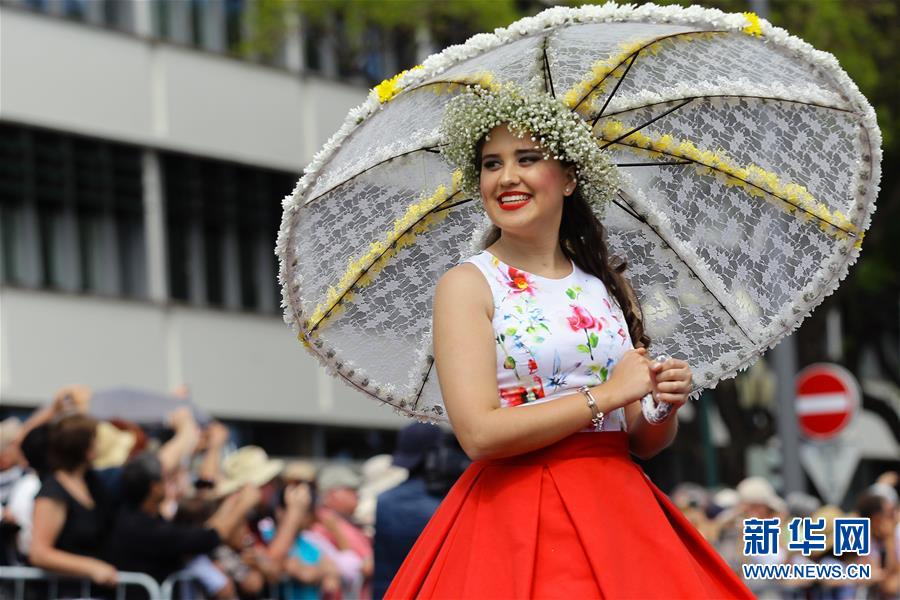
(140, 196)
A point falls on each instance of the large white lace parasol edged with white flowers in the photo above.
(751, 164)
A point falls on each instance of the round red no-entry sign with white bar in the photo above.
(827, 399)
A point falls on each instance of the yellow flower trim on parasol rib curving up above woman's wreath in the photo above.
(584, 93)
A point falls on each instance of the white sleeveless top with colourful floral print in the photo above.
(553, 335)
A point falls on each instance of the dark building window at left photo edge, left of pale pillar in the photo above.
(71, 213)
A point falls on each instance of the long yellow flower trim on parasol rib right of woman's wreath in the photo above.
(755, 180)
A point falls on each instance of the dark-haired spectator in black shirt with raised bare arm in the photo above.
(143, 541)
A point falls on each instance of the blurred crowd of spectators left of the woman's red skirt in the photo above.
(93, 499)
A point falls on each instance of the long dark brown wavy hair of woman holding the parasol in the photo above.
(582, 239)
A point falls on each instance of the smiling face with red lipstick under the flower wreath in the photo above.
(521, 190)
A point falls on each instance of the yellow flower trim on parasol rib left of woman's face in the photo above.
(418, 218)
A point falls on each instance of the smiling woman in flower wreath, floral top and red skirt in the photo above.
(542, 361)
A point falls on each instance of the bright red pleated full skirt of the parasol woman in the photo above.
(577, 519)
